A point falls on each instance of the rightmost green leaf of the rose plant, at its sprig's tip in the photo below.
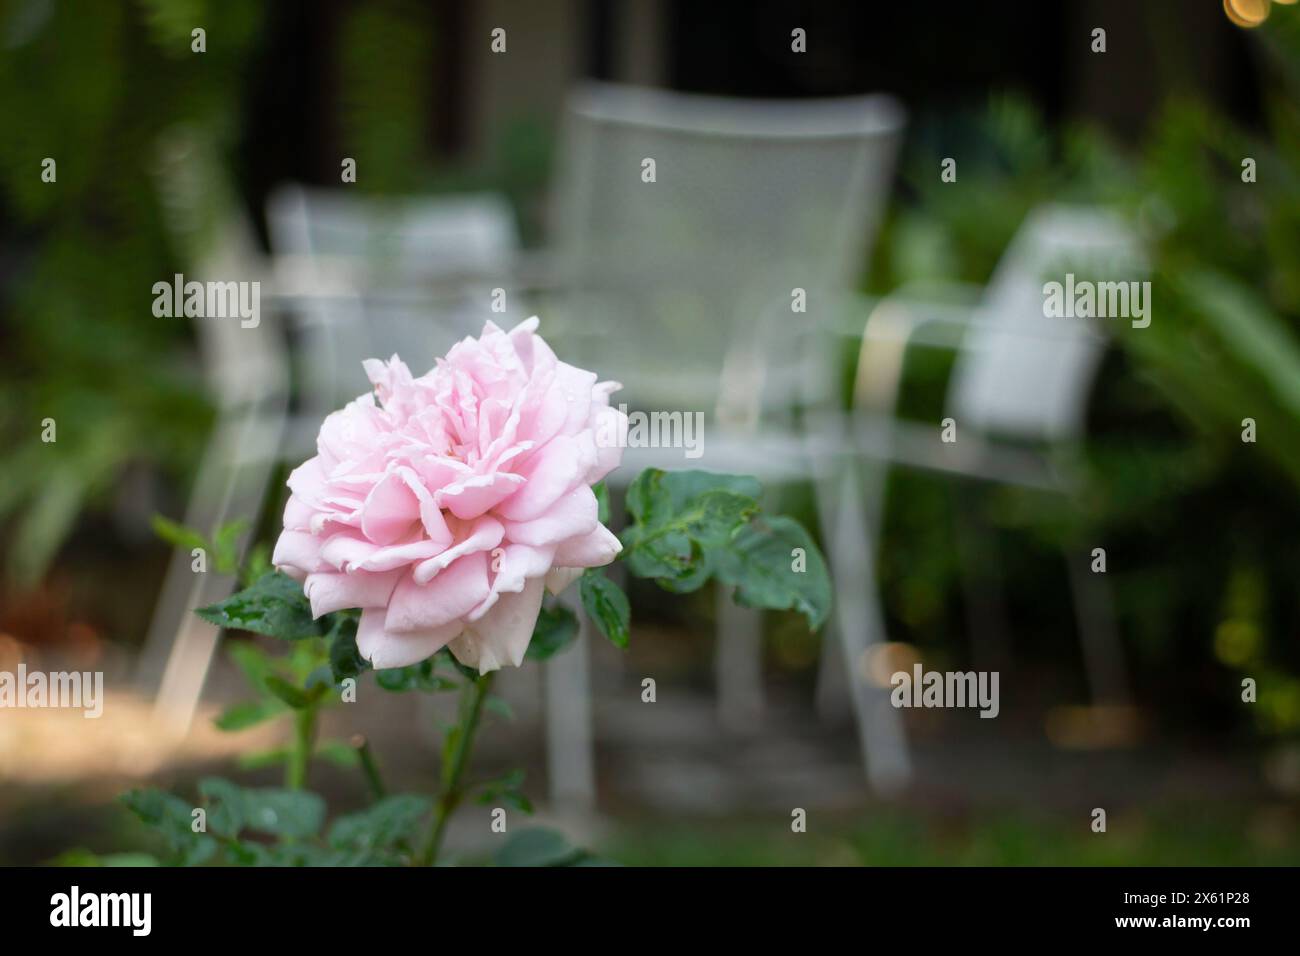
(762, 564)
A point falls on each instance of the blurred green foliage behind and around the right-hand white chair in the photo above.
(1173, 487)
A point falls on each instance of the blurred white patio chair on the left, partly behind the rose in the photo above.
(356, 279)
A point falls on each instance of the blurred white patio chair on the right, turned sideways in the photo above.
(1019, 396)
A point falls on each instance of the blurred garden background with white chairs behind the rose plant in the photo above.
(489, 171)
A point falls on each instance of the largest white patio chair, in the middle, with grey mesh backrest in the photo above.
(669, 284)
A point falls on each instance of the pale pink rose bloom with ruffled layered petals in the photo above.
(444, 505)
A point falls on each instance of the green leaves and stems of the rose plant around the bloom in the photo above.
(688, 527)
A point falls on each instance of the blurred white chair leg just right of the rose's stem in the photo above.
(570, 746)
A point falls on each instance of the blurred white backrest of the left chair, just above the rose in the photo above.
(367, 278)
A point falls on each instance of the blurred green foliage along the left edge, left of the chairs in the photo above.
(80, 343)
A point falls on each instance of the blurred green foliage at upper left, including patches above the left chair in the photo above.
(144, 144)
